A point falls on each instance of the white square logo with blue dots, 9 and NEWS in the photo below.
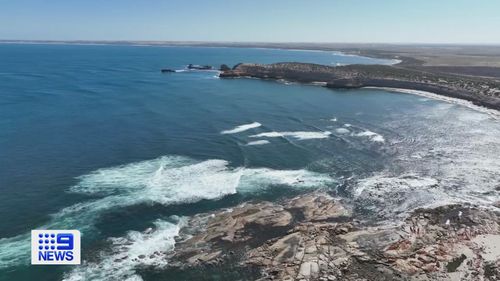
(56, 247)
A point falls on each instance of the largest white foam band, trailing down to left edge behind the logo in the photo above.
(165, 180)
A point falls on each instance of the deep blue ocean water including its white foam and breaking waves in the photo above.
(95, 138)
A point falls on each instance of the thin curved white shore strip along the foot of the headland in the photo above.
(492, 112)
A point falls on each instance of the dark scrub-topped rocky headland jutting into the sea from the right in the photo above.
(480, 91)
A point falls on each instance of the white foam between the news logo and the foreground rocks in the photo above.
(136, 249)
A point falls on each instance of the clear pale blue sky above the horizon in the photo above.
(394, 21)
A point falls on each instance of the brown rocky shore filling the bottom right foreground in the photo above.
(316, 237)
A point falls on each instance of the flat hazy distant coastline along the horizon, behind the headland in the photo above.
(459, 59)
